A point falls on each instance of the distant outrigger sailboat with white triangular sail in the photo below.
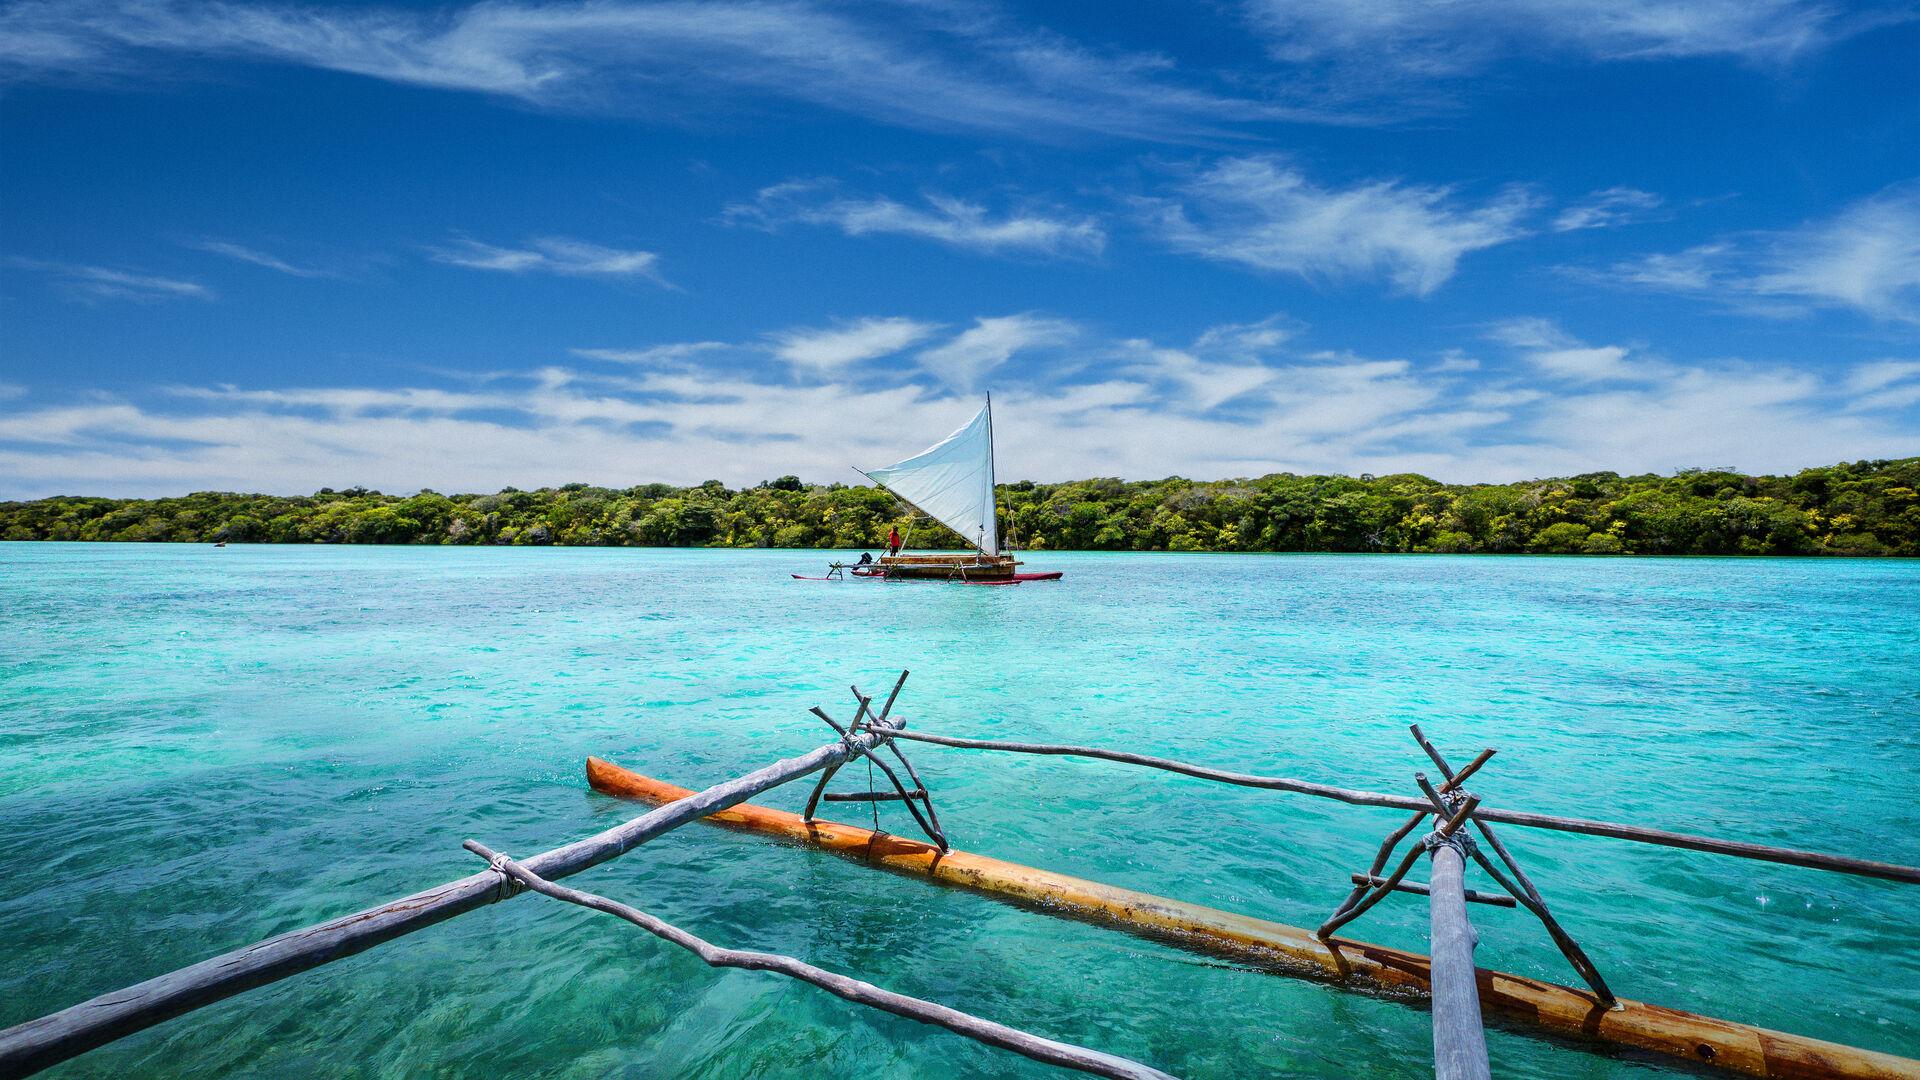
(951, 483)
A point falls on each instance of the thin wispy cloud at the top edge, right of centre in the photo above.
(1451, 39)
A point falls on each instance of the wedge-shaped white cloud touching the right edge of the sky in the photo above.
(1865, 258)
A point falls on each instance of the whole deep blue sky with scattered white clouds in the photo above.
(458, 247)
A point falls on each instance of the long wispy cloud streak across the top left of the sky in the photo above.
(924, 66)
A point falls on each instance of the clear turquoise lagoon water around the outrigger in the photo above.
(210, 747)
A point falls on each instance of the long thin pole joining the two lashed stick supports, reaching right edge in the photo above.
(1767, 854)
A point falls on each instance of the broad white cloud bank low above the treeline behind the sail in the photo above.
(1232, 403)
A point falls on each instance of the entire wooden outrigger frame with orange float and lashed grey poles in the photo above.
(1449, 979)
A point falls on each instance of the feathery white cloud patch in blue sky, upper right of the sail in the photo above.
(1266, 214)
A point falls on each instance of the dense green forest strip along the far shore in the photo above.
(1863, 508)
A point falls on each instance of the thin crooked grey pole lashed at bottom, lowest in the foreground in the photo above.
(990, 1033)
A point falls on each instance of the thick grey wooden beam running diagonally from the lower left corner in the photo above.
(36, 1044)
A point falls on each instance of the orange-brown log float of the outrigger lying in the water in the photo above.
(1291, 950)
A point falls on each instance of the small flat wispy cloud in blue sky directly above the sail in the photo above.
(946, 220)
